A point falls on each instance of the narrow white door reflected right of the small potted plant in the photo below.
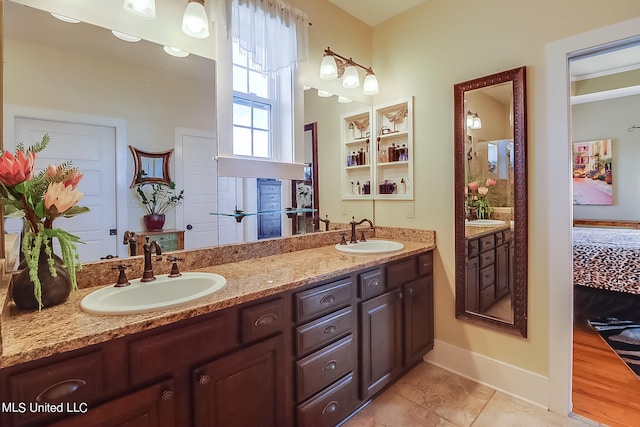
(200, 181)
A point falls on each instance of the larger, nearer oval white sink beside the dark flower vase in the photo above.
(164, 292)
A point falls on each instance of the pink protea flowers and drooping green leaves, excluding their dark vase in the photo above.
(39, 200)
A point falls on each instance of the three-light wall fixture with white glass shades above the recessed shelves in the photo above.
(334, 66)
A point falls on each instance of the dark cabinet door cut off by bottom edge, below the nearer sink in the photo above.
(151, 406)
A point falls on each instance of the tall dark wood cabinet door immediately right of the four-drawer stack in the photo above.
(381, 320)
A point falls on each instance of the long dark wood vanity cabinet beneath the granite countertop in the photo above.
(307, 357)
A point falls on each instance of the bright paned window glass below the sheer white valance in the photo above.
(253, 108)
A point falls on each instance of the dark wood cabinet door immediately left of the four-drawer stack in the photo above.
(245, 388)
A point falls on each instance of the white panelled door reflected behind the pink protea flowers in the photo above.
(92, 148)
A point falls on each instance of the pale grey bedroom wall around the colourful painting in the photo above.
(611, 119)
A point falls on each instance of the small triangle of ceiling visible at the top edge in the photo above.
(374, 12)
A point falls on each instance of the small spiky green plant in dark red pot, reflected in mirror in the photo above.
(158, 199)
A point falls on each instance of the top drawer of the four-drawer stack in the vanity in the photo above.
(323, 299)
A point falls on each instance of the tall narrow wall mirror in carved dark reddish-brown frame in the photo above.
(491, 201)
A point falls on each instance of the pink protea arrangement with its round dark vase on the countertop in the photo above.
(46, 279)
